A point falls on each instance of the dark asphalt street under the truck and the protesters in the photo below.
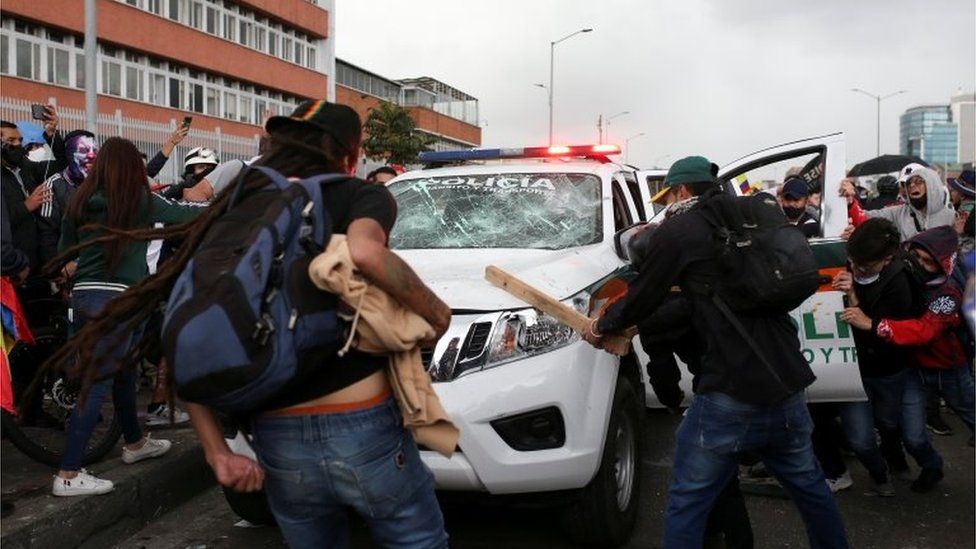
(941, 519)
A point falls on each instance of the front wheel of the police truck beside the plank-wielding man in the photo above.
(605, 513)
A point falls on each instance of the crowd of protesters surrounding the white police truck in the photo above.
(89, 217)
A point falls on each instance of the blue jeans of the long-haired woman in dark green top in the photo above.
(86, 304)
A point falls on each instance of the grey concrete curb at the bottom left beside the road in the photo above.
(142, 493)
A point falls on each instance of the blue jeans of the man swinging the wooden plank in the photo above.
(714, 431)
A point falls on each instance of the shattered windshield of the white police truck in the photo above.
(548, 211)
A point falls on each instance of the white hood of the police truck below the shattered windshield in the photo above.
(458, 276)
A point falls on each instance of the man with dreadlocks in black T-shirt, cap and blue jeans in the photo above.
(344, 413)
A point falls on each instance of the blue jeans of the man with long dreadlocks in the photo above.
(317, 465)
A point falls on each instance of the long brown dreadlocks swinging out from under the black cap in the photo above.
(294, 150)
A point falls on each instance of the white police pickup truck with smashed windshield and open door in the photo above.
(539, 409)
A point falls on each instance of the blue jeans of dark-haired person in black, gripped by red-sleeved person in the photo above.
(883, 410)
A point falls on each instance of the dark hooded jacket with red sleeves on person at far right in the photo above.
(933, 334)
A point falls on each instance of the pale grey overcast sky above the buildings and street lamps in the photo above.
(721, 78)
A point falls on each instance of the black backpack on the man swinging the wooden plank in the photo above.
(765, 264)
